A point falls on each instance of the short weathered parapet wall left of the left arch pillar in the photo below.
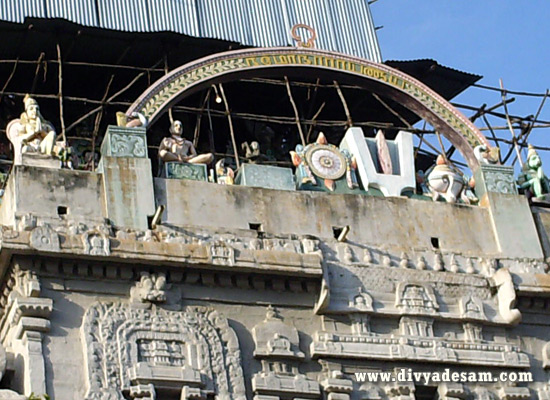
(40, 191)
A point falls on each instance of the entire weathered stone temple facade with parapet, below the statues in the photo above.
(386, 297)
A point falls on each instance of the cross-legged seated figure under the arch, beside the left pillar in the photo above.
(178, 149)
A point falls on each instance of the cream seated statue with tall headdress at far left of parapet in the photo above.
(31, 132)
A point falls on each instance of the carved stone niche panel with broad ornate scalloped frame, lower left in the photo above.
(134, 349)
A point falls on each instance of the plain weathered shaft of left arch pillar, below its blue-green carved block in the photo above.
(128, 187)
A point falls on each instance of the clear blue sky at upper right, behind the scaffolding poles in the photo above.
(498, 39)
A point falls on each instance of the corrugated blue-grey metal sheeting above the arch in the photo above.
(341, 25)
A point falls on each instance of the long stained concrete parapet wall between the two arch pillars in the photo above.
(388, 222)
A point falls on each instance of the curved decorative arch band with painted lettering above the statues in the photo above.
(379, 78)
